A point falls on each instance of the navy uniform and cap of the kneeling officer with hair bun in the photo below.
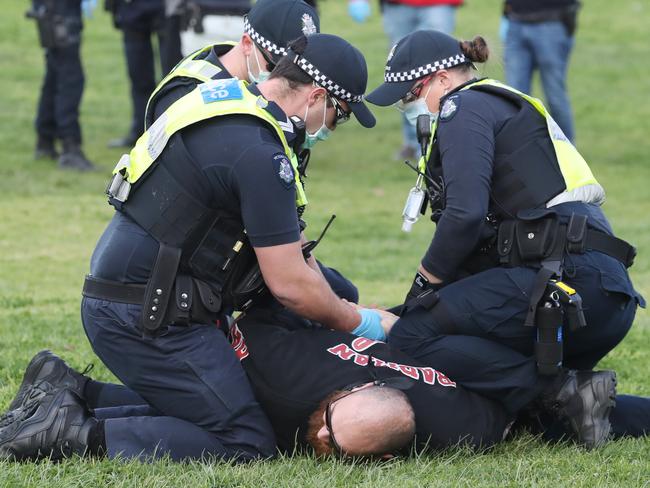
(495, 159)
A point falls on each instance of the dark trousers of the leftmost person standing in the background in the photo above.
(58, 106)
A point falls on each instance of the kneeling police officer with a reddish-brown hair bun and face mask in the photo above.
(515, 205)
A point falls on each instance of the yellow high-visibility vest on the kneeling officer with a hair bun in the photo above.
(574, 168)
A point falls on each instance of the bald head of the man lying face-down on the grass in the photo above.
(371, 421)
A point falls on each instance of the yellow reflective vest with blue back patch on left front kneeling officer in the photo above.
(214, 98)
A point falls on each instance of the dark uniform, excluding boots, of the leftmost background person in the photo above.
(58, 106)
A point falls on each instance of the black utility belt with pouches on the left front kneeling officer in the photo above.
(191, 300)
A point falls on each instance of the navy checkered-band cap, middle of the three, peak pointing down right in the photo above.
(340, 68)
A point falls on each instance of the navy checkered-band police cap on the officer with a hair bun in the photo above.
(417, 55)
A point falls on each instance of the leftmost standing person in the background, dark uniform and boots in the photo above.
(59, 25)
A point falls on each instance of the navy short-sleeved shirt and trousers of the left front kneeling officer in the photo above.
(190, 374)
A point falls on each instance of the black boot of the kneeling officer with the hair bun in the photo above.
(584, 400)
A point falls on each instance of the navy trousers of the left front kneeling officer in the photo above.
(199, 403)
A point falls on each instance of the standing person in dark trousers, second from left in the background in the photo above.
(139, 20)
